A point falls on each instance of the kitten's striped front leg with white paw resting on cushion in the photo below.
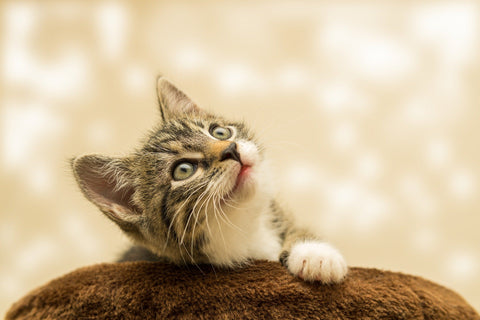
(307, 257)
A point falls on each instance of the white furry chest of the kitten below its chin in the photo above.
(242, 236)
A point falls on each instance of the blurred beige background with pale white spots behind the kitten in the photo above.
(370, 110)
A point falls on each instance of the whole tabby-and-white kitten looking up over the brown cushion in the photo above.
(199, 191)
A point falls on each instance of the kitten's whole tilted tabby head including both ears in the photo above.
(193, 169)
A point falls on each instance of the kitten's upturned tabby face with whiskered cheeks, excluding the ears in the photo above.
(192, 172)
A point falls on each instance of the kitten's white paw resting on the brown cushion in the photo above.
(317, 261)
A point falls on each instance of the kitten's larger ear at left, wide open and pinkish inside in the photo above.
(106, 182)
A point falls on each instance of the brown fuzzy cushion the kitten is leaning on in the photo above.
(265, 290)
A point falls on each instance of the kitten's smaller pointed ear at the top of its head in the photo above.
(172, 101)
